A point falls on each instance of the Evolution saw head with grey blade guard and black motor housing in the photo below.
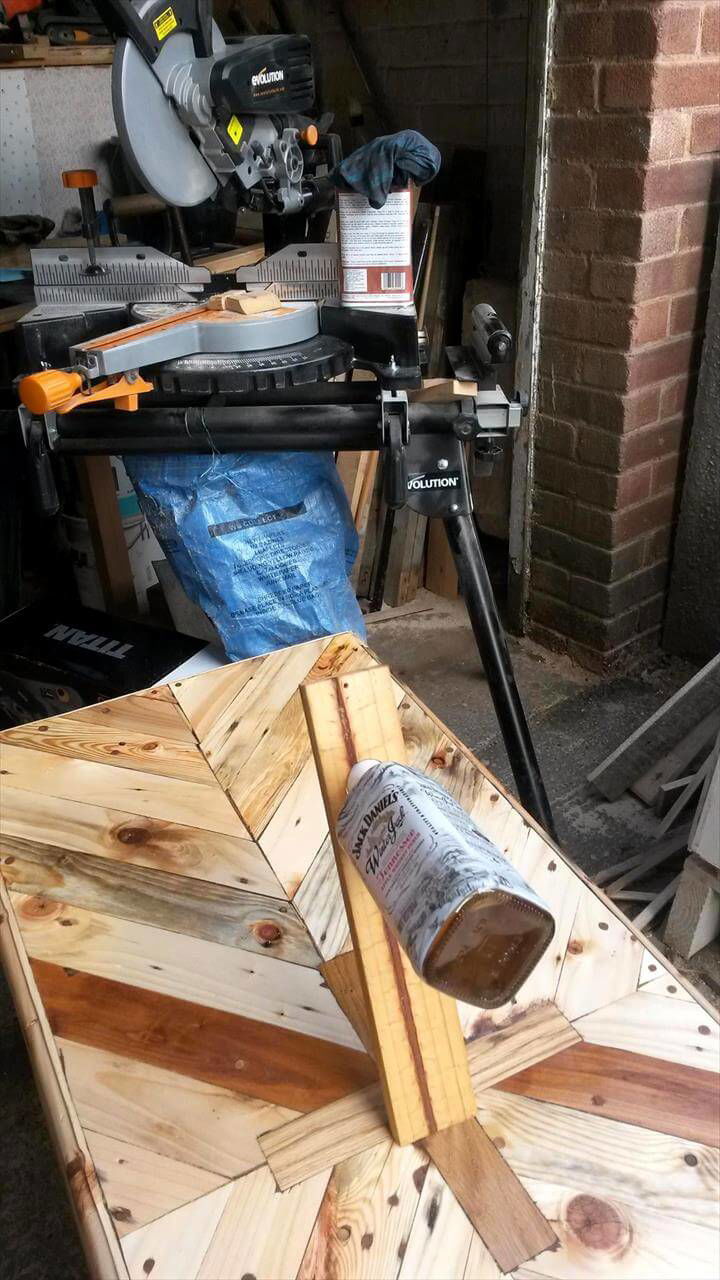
(195, 112)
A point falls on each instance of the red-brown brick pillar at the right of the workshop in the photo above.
(631, 225)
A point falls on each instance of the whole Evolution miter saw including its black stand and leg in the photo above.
(258, 368)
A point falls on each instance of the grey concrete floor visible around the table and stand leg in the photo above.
(576, 717)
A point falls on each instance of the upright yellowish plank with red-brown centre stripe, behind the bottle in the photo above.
(422, 1057)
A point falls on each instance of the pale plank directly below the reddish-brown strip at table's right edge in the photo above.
(644, 1168)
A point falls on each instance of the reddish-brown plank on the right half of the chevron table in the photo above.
(667, 1098)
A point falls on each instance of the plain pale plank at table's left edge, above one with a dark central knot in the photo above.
(111, 787)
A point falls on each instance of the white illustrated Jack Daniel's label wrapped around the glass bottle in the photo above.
(421, 854)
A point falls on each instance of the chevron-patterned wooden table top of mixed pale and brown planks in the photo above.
(175, 938)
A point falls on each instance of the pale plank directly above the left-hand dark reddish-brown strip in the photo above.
(254, 986)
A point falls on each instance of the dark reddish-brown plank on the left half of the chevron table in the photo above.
(252, 1058)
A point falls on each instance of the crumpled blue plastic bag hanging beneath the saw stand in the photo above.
(262, 542)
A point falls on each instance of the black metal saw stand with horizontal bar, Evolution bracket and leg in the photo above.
(425, 446)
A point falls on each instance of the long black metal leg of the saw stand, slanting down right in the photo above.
(493, 644)
